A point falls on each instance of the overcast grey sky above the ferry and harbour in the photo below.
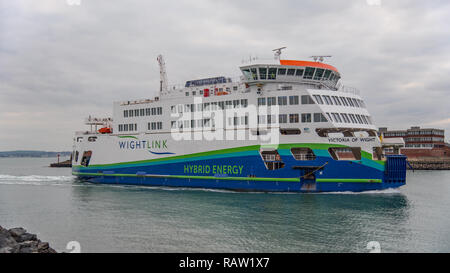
(60, 63)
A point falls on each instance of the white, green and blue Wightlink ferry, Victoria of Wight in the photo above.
(281, 126)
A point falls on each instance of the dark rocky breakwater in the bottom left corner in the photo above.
(17, 240)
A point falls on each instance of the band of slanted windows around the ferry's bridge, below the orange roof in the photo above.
(271, 73)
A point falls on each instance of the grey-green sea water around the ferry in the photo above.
(112, 218)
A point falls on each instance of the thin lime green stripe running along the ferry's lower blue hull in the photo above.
(268, 179)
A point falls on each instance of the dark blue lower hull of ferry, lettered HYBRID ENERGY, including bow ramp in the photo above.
(248, 173)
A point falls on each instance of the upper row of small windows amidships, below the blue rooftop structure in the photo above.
(209, 106)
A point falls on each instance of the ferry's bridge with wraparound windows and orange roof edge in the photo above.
(292, 71)
